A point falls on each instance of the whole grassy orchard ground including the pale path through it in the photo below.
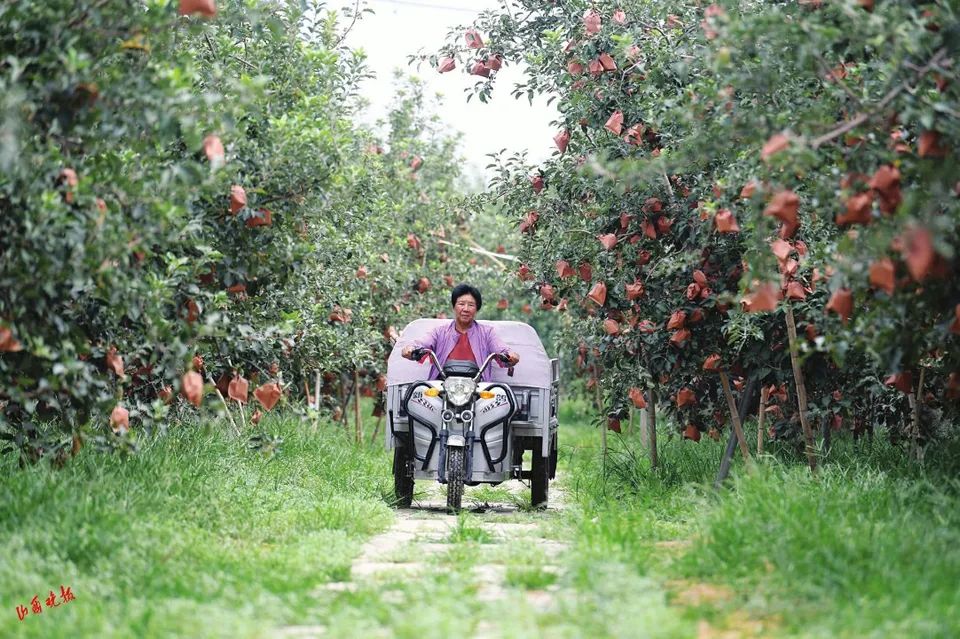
(199, 536)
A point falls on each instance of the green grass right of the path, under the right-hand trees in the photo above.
(868, 547)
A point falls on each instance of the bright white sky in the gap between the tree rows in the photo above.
(399, 28)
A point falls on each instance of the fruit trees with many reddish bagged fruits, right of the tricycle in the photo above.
(727, 176)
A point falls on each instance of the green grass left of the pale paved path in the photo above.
(194, 536)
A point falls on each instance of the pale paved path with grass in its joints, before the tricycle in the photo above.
(509, 556)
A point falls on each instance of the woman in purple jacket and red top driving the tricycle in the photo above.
(462, 338)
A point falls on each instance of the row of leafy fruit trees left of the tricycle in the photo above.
(192, 208)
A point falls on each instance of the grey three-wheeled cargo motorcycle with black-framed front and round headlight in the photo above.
(461, 431)
